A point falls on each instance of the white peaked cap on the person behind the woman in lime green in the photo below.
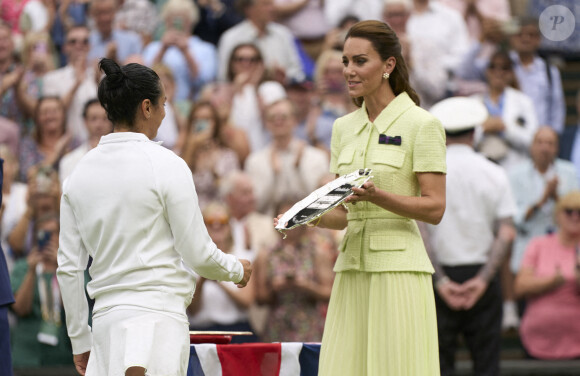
(458, 114)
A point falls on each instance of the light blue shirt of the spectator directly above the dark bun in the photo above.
(128, 43)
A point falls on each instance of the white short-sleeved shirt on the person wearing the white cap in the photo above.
(478, 193)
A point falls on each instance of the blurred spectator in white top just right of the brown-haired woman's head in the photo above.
(435, 55)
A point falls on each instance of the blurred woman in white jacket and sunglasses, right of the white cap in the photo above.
(506, 135)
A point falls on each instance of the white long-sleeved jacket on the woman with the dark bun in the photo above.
(131, 205)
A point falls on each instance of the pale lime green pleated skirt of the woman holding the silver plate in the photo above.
(380, 324)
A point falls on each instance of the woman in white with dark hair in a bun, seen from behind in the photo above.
(131, 205)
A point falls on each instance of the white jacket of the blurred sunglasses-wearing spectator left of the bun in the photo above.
(59, 82)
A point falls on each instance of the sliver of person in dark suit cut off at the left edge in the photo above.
(6, 299)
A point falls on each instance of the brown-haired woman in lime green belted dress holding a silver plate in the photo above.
(381, 318)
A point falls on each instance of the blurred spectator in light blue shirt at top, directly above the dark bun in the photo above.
(106, 40)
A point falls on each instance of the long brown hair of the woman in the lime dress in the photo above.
(386, 43)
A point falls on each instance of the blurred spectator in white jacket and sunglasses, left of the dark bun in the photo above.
(75, 83)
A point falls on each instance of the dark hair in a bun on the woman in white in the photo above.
(123, 89)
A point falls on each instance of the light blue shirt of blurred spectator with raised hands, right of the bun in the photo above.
(205, 55)
